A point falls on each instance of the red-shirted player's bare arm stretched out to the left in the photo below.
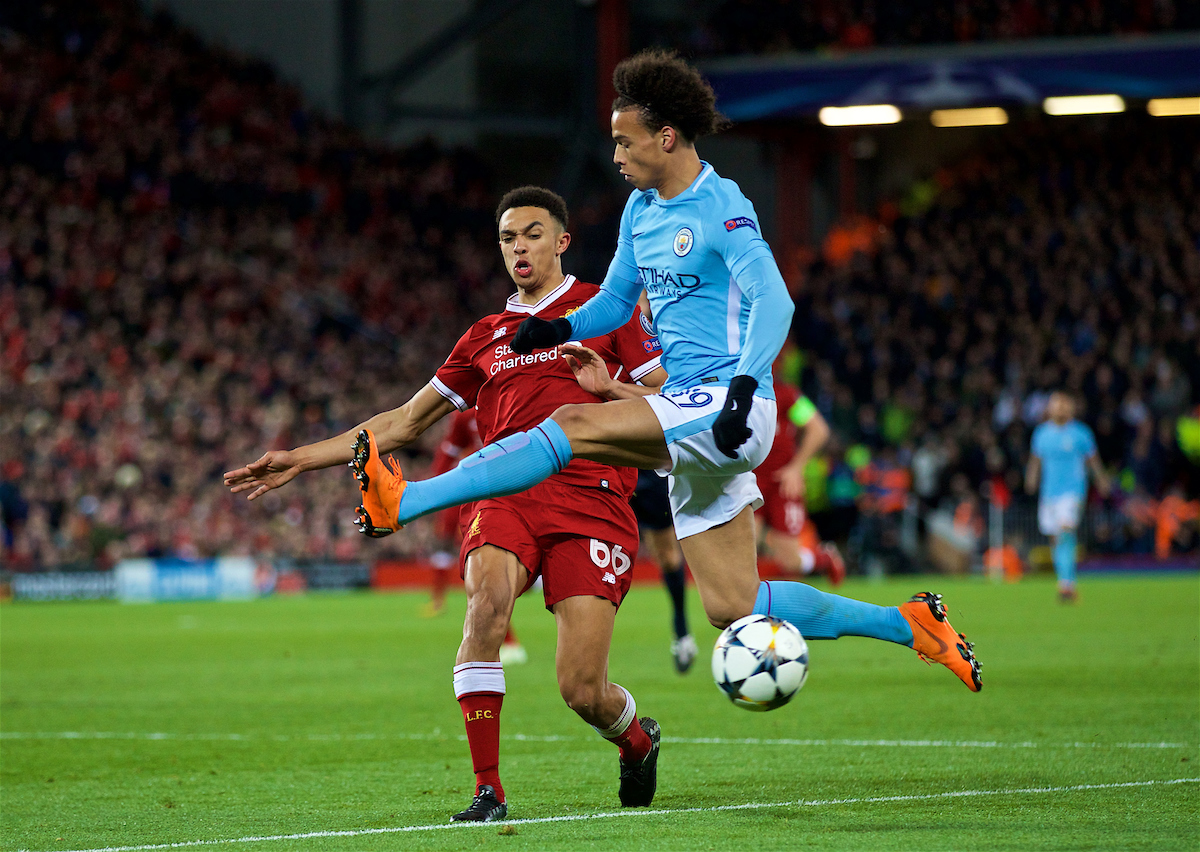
(393, 430)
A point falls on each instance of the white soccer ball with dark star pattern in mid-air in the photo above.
(760, 663)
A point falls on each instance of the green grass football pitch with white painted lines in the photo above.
(135, 727)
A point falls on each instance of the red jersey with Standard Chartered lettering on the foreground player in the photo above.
(515, 393)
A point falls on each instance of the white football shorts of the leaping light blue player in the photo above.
(707, 488)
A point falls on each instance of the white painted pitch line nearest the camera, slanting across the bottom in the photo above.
(643, 812)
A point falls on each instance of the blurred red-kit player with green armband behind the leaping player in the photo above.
(800, 435)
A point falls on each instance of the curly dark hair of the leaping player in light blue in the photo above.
(667, 91)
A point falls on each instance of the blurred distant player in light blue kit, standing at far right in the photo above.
(1063, 452)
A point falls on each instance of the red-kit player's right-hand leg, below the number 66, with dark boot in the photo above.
(585, 634)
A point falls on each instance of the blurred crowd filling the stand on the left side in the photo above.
(196, 269)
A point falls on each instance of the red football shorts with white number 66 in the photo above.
(581, 542)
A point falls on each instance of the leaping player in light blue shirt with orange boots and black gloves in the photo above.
(722, 313)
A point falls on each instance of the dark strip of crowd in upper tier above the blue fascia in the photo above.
(759, 27)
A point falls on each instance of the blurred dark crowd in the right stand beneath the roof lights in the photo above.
(1054, 261)
